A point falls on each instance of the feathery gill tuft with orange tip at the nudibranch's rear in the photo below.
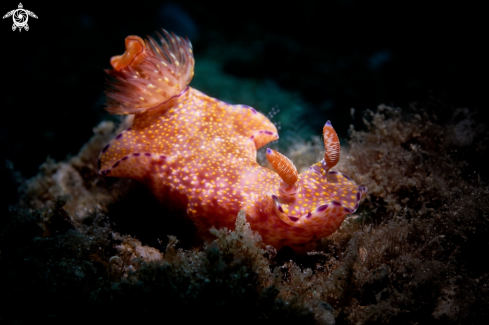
(148, 74)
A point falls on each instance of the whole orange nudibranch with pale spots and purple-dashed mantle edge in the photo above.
(198, 154)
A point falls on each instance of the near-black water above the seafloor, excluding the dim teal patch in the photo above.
(334, 54)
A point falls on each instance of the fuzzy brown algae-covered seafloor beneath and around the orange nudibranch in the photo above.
(413, 253)
